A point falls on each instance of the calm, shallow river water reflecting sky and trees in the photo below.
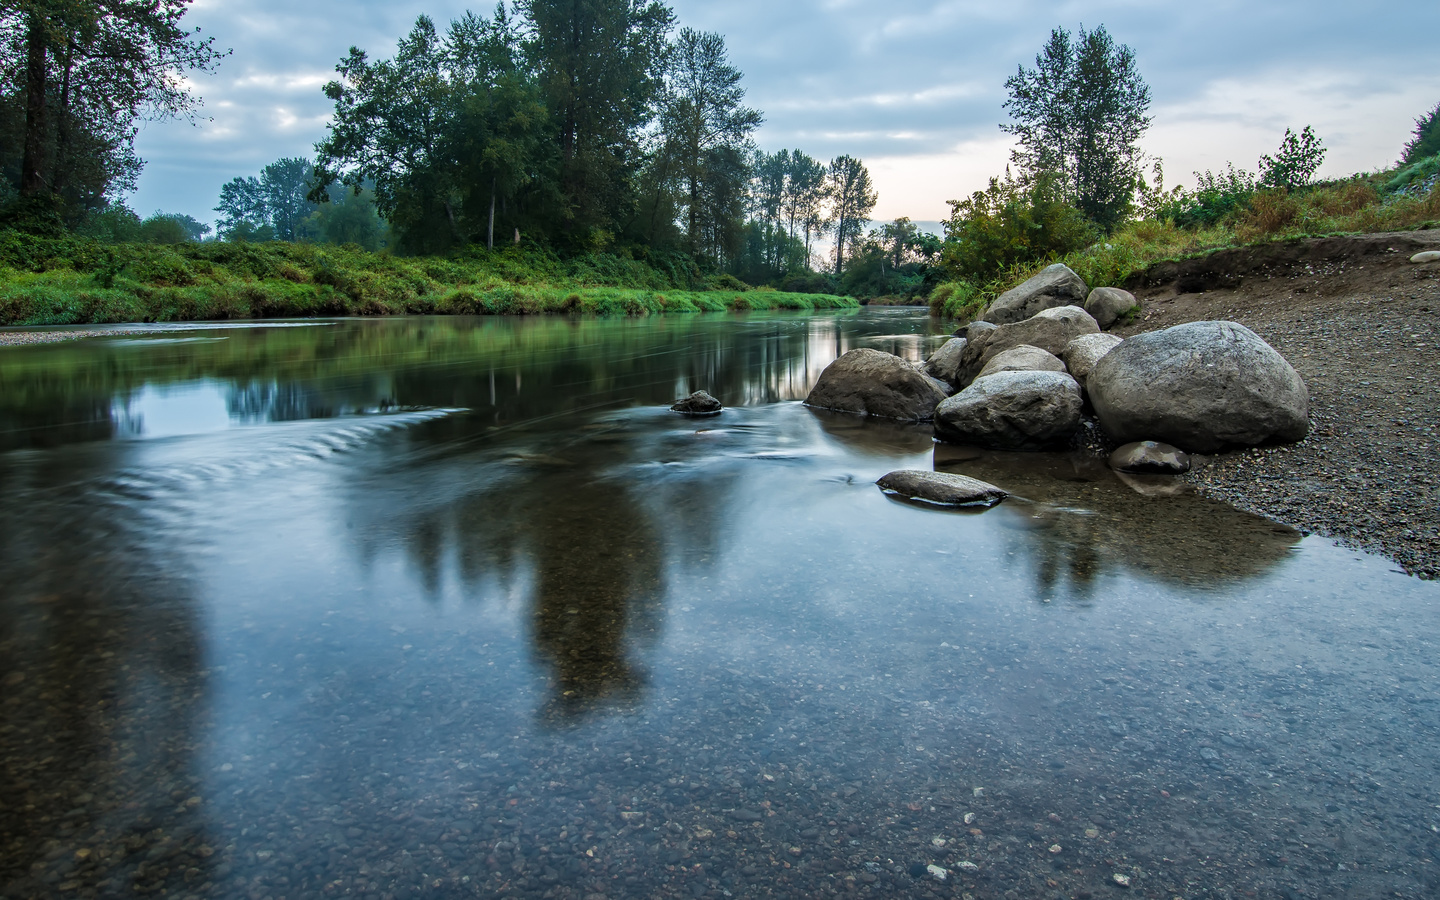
(450, 608)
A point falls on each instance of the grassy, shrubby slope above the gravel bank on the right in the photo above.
(1197, 225)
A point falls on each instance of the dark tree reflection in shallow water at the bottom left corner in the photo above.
(104, 698)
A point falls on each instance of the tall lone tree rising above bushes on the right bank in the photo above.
(1081, 114)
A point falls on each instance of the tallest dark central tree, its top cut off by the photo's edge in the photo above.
(601, 66)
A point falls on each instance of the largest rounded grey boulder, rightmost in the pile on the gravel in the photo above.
(1202, 387)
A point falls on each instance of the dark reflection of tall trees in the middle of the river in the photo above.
(584, 531)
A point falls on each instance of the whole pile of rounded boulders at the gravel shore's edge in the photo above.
(1023, 378)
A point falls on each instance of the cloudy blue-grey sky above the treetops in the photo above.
(914, 87)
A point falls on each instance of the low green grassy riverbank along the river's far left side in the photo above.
(73, 282)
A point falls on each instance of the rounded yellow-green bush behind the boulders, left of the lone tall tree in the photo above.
(1009, 225)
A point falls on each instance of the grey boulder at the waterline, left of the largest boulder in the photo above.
(1014, 411)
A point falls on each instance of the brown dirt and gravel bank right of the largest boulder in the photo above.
(1360, 323)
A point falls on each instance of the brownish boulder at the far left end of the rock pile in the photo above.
(878, 384)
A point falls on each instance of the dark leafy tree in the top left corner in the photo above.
(91, 70)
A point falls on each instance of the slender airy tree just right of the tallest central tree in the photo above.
(708, 130)
